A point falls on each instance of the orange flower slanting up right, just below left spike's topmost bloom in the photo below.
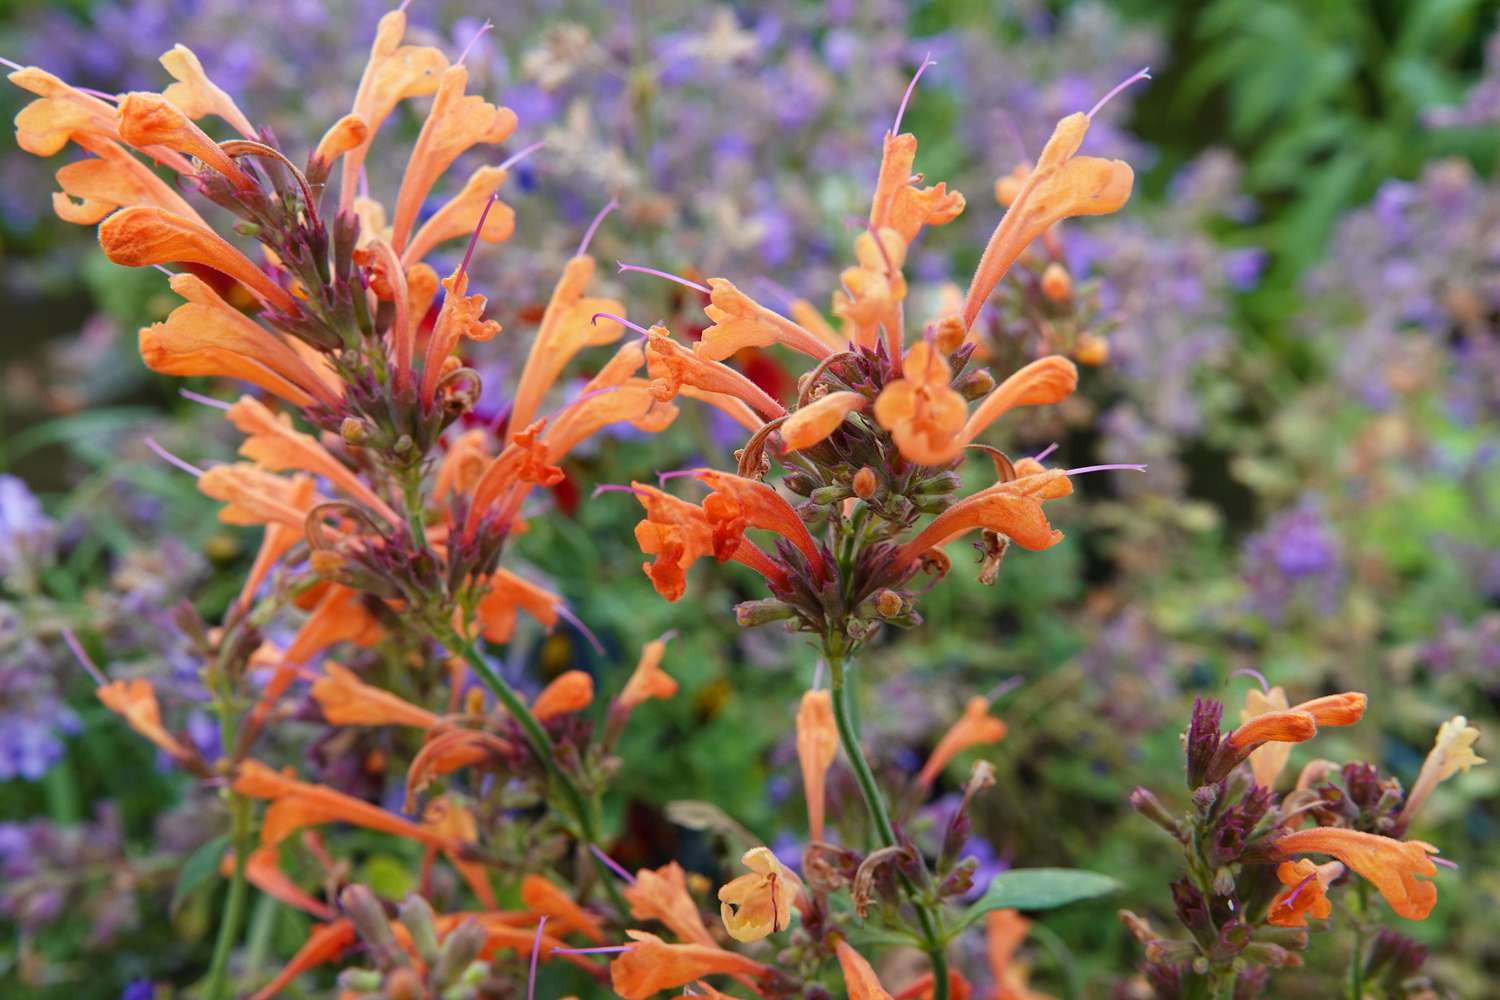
(455, 124)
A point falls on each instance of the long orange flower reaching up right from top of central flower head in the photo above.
(1061, 187)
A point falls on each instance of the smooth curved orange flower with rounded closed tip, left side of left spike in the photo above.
(142, 236)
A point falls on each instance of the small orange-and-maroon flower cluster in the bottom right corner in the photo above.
(1250, 887)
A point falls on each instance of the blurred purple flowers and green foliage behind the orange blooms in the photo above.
(1300, 316)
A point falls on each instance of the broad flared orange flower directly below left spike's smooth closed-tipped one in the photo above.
(208, 337)
